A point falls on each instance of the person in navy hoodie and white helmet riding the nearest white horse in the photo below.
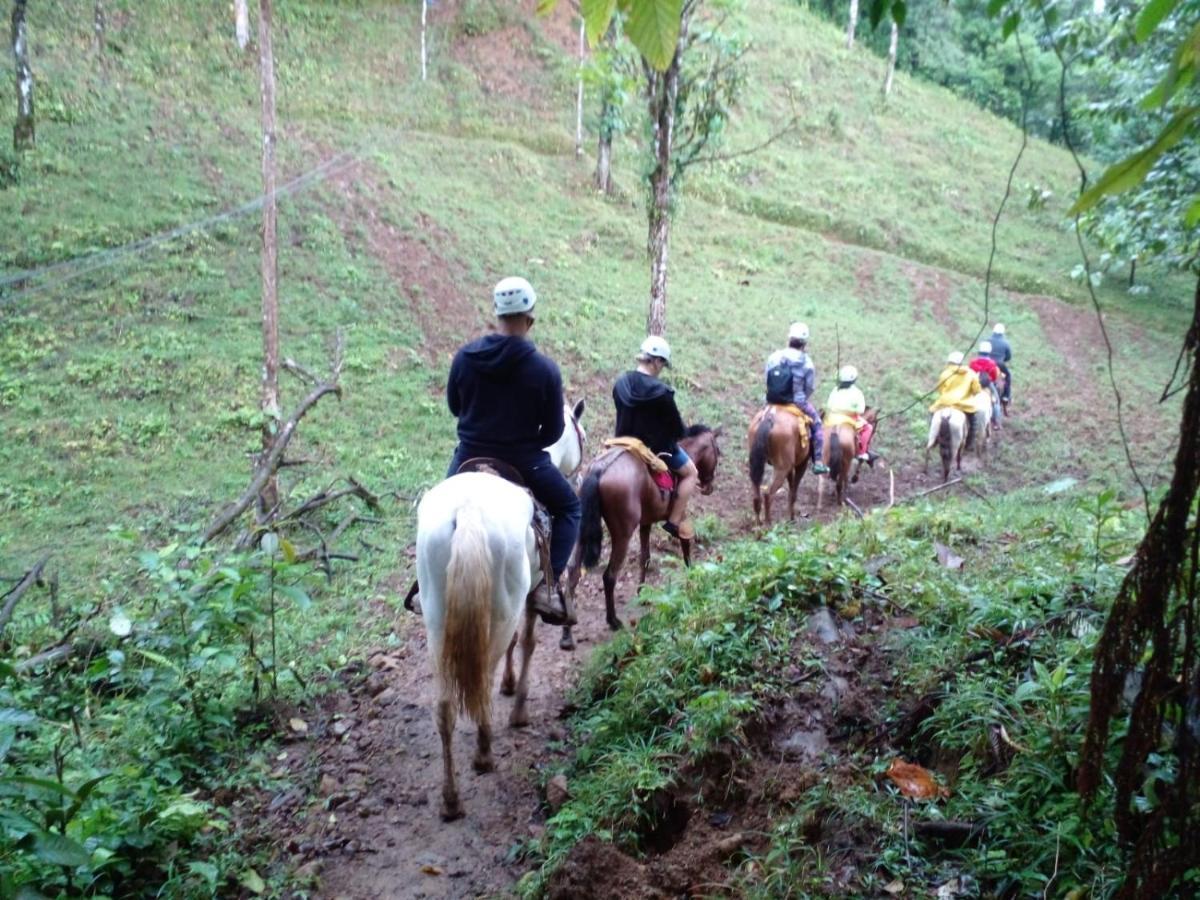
(508, 399)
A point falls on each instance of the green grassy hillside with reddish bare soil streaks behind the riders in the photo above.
(129, 380)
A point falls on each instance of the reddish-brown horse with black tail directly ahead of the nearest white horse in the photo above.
(619, 490)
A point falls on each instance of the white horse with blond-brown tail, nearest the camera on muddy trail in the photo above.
(476, 562)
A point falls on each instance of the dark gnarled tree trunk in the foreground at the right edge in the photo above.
(1157, 610)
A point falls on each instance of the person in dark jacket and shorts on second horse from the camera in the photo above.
(646, 410)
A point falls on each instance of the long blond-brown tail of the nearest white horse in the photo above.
(466, 645)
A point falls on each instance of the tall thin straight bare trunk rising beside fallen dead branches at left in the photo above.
(271, 394)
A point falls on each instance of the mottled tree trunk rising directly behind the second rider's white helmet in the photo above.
(664, 93)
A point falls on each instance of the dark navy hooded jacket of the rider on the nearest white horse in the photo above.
(508, 399)
